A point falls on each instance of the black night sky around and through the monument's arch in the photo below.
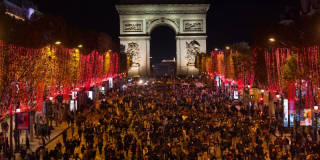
(228, 21)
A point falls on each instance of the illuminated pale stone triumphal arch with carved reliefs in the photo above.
(138, 18)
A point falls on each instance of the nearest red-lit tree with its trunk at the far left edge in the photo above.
(17, 67)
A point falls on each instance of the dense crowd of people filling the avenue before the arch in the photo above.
(181, 124)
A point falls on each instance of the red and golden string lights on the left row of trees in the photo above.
(37, 72)
